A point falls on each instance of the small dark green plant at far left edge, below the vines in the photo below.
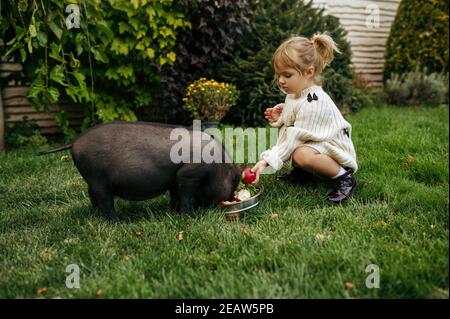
(23, 133)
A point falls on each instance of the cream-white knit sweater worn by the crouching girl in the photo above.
(318, 124)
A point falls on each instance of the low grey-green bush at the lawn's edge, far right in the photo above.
(417, 87)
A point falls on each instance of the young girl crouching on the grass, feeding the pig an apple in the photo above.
(314, 137)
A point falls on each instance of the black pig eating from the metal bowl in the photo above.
(132, 160)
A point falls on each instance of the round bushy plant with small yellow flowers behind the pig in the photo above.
(209, 100)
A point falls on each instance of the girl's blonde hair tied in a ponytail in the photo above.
(300, 53)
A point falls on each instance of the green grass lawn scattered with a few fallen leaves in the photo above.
(294, 245)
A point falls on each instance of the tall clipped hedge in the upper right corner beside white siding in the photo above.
(419, 37)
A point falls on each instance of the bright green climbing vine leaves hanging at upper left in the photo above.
(124, 42)
